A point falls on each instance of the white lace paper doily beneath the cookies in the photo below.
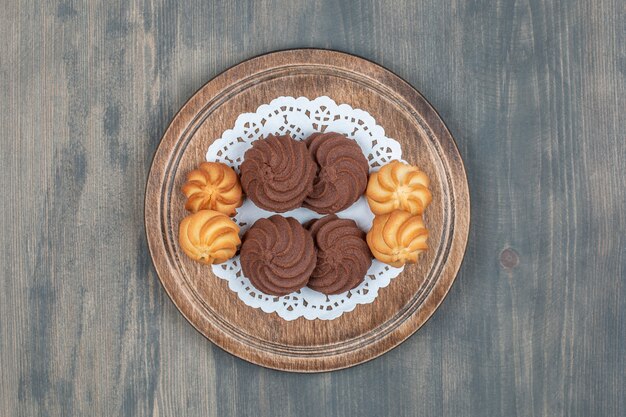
(301, 117)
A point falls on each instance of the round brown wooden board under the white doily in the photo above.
(369, 330)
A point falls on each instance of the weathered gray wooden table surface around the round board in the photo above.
(534, 92)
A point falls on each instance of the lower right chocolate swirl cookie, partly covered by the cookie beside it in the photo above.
(343, 256)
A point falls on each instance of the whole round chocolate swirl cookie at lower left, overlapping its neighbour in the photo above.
(278, 255)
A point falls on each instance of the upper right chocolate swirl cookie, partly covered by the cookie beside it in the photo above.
(342, 172)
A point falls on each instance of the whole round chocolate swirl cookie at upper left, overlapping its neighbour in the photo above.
(277, 173)
